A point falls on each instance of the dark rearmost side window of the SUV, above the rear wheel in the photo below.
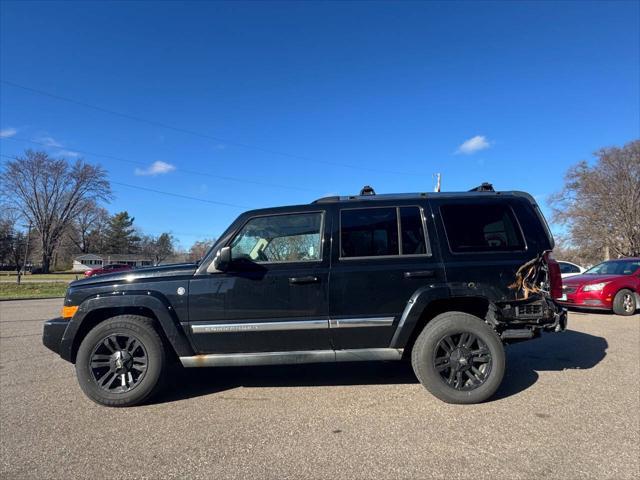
(481, 228)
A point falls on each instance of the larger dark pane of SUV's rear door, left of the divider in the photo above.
(368, 232)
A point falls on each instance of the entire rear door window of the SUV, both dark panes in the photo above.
(384, 231)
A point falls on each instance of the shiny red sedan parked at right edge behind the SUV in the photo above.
(611, 285)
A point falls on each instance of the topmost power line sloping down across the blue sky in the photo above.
(198, 134)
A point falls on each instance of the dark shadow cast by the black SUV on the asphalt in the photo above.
(551, 352)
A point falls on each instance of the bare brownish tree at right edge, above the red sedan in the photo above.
(599, 205)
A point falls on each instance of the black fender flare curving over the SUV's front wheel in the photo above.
(157, 304)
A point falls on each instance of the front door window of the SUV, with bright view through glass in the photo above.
(280, 238)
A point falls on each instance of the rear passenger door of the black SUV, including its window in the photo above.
(382, 254)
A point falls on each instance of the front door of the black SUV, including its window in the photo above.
(274, 296)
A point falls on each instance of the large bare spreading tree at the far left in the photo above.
(50, 193)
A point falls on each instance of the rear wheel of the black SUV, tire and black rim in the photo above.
(434, 358)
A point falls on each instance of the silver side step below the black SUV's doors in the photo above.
(291, 358)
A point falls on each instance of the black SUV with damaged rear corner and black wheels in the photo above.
(440, 279)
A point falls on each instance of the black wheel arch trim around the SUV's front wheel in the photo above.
(97, 309)
